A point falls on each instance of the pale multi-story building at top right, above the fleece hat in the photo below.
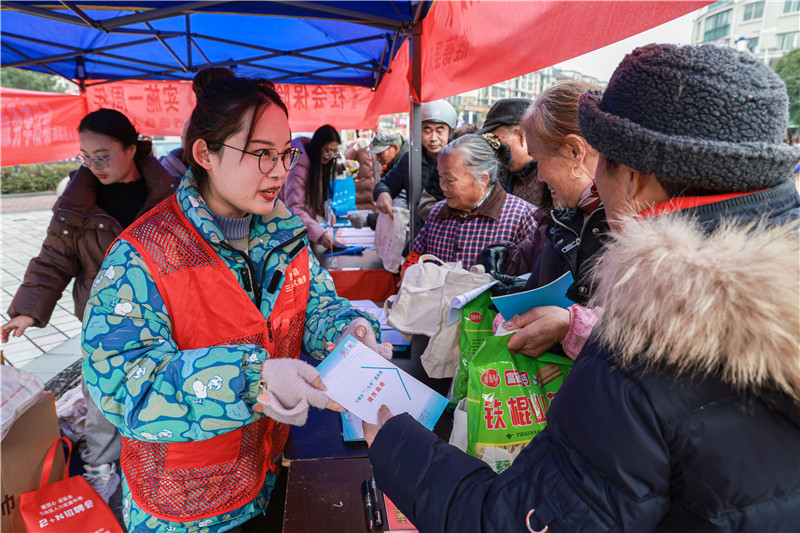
(767, 28)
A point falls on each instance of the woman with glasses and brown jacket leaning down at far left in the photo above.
(117, 182)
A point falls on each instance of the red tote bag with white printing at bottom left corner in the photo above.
(66, 506)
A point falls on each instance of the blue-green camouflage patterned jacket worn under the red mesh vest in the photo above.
(147, 387)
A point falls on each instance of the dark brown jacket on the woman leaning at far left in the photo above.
(79, 234)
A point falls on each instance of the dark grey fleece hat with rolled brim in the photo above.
(701, 118)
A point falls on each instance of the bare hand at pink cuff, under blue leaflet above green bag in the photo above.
(539, 329)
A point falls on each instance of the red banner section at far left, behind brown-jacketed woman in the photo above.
(39, 126)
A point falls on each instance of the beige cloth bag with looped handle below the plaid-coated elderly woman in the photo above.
(417, 305)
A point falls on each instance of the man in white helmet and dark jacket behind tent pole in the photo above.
(439, 121)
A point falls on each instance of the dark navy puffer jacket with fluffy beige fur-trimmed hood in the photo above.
(681, 414)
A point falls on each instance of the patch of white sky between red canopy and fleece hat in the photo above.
(601, 62)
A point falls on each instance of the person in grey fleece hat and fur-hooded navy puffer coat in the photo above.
(682, 413)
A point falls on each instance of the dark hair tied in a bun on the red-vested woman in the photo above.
(220, 112)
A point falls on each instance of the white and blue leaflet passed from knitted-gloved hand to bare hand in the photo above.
(361, 381)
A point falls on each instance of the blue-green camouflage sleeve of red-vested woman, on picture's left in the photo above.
(135, 372)
